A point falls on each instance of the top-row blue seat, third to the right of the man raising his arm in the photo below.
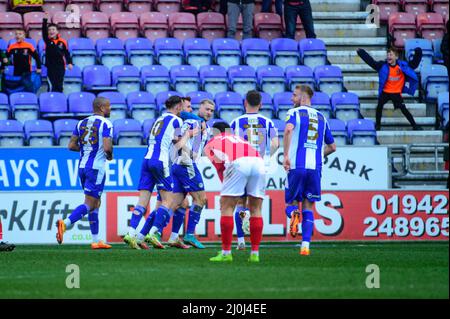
(139, 52)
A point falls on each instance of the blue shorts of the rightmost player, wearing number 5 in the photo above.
(303, 184)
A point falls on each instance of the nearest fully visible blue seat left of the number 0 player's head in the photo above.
(141, 105)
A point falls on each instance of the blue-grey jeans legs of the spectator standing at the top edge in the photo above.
(235, 8)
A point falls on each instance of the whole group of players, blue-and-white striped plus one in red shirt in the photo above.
(240, 153)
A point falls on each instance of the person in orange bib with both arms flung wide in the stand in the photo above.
(393, 75)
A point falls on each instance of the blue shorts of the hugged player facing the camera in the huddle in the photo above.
(187, 179)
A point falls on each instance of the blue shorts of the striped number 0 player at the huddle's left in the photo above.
(155, 173)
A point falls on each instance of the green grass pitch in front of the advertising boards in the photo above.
(334, 270)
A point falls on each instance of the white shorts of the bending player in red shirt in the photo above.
(245, 175)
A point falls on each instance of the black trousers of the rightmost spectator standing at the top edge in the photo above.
(305, 12)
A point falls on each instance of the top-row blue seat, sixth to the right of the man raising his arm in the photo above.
(227, 52)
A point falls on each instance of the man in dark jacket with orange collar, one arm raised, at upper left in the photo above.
(56, 56)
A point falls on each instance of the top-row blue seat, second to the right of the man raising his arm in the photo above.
(110, 52)
